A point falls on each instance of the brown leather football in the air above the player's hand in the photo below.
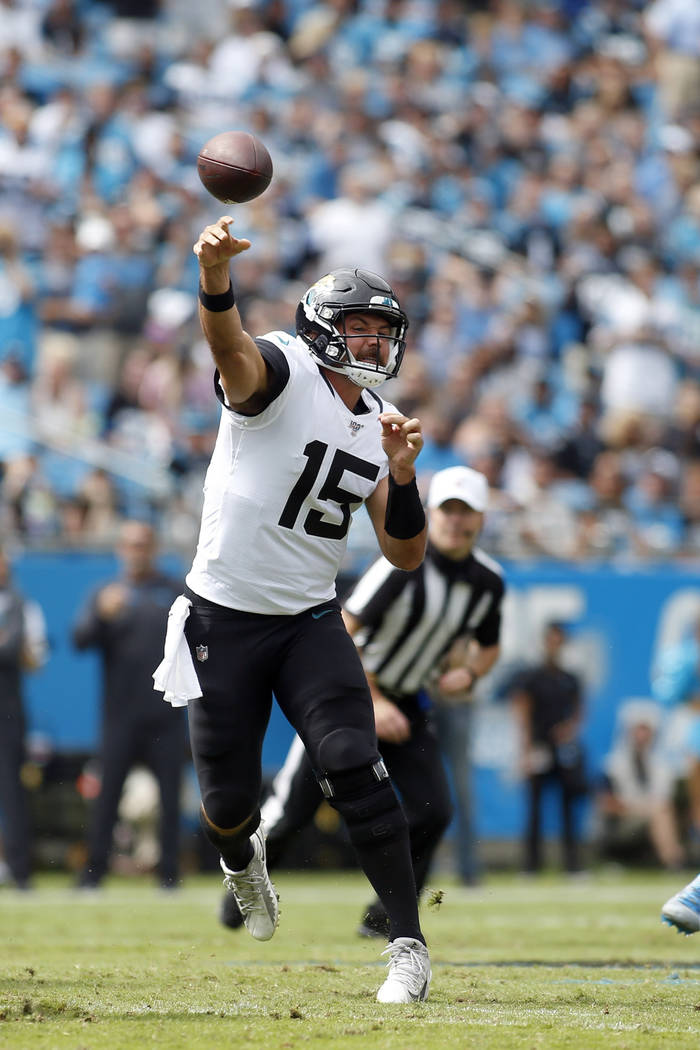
(235, 167)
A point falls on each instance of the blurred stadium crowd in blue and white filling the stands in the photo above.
(525, 174)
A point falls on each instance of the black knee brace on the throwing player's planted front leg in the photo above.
(368, 803)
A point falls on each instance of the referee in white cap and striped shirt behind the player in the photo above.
(435, 628)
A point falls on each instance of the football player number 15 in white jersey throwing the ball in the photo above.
(304, 442)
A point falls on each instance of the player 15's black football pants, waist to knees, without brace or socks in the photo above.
(309, 663)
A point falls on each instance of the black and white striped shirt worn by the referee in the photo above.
(411, 620)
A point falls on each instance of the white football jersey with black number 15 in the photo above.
(281, 492)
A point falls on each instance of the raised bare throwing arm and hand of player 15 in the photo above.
(239, 361)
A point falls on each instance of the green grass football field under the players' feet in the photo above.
(545, 963)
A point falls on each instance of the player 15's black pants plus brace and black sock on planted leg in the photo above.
(310, 663)
